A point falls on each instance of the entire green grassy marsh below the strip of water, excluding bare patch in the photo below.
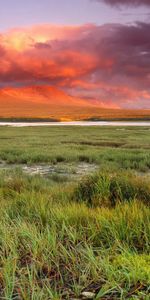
(82, 239)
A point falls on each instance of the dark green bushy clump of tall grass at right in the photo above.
(103, 189)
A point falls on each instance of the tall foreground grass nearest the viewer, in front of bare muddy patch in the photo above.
(56, 243)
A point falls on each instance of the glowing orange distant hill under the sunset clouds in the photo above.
(49, 102)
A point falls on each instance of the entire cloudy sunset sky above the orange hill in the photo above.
(97, 50)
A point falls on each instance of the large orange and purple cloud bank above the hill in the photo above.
(107, 65)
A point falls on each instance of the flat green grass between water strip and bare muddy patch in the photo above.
(112, 146)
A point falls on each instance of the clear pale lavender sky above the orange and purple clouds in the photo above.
(19, 13)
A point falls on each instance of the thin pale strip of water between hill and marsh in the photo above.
(77, 123)
